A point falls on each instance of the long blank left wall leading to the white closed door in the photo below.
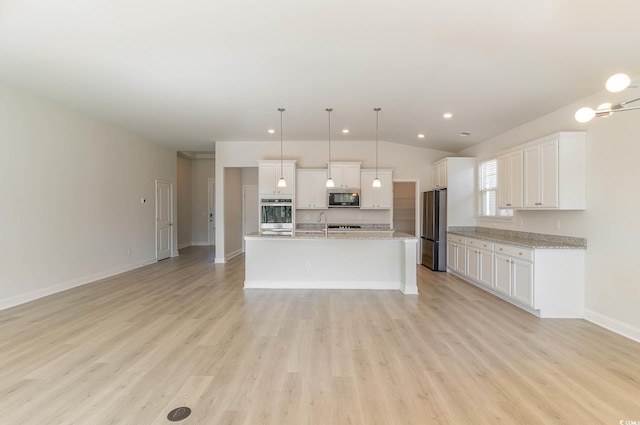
(71, 190)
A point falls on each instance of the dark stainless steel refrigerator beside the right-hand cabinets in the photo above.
(434, 229)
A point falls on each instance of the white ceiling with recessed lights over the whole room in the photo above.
(190, 72)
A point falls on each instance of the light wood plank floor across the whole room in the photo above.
(183, 332)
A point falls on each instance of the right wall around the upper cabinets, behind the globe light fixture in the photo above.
(610, 221)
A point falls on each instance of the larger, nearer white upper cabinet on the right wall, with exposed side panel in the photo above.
(554, 172)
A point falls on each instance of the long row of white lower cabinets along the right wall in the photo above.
(546, 282)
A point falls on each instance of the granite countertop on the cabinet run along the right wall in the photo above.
(525, 239)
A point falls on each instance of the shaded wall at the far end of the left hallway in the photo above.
(201, 171)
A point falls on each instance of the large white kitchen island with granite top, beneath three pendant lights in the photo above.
(337, 260)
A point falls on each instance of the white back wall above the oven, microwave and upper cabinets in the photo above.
(407, 162)
